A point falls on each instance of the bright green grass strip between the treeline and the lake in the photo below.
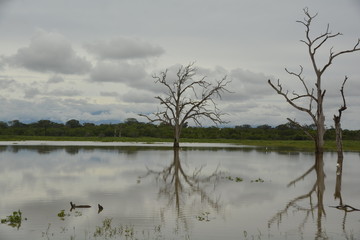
(349, 145)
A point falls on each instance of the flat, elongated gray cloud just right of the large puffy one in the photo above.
(124, 48)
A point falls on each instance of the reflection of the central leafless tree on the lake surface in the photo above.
(177, 186)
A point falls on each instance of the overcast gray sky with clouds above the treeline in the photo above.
(94, 60)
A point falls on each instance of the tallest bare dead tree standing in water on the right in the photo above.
(311, 99)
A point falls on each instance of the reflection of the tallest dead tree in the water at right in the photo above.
(318, 188)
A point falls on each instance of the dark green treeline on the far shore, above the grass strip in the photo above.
(132, 128)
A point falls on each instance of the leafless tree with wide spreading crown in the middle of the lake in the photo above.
(187, 99)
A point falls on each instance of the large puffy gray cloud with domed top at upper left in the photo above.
(49, 52)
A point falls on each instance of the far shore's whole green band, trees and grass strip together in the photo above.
(282, 136)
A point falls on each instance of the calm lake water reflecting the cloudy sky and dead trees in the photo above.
(199, 192)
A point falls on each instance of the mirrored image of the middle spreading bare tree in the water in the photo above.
(182, 189)
